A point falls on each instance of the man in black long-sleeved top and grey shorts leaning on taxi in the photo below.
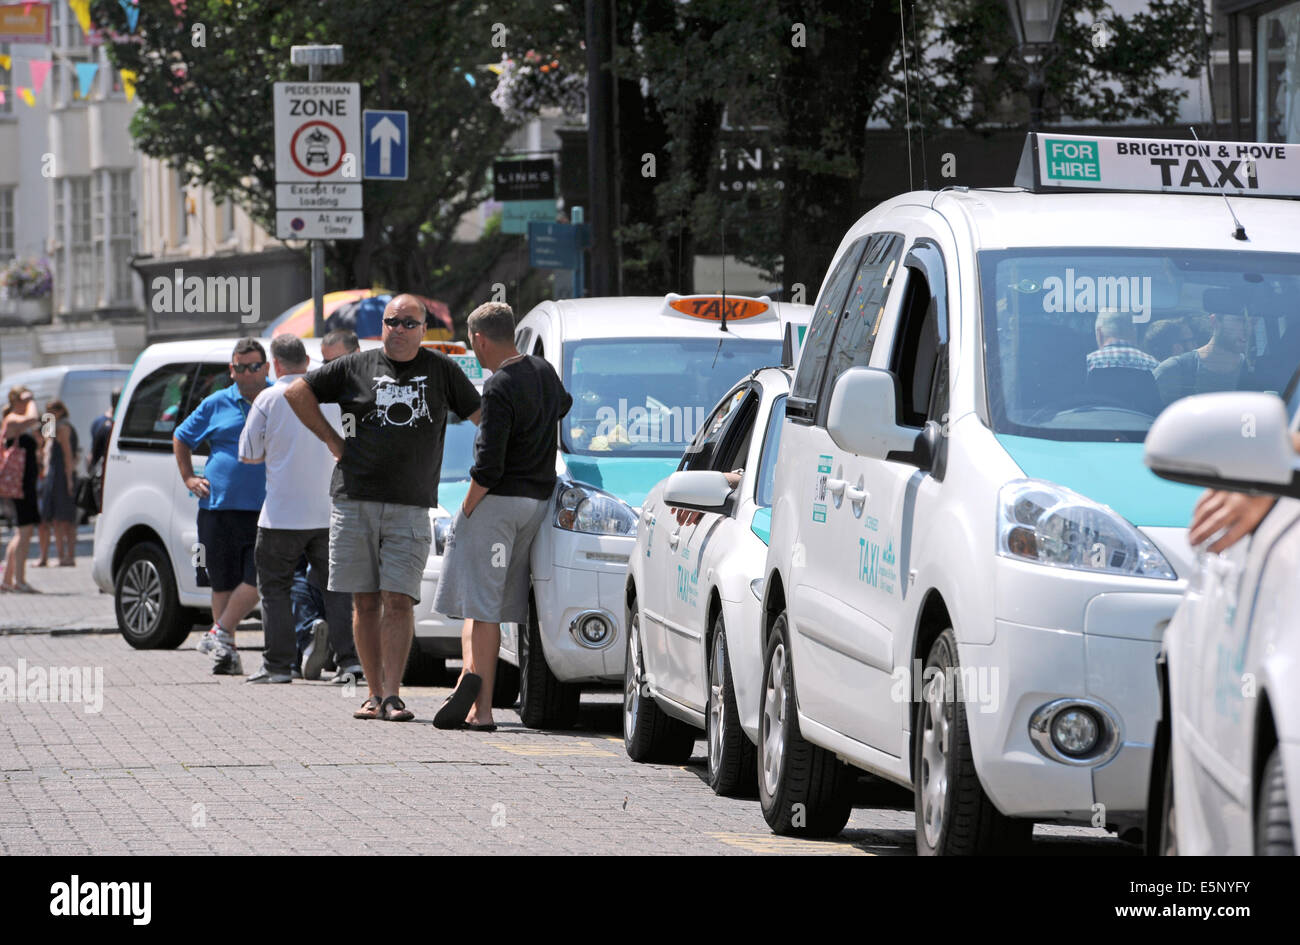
(486, 573)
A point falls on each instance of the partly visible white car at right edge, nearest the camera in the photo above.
(1233, 649)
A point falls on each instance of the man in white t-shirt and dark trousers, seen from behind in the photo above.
(294, 519)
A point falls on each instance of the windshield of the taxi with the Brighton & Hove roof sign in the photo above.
(1086, 344)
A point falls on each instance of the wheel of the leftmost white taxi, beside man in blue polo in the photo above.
(145, 600)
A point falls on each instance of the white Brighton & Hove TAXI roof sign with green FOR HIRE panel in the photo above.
(1089, 163)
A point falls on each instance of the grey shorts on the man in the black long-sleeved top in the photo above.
(486, 569)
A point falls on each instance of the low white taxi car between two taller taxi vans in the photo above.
(694, 660)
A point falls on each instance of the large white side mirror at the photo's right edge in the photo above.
(1238, 441)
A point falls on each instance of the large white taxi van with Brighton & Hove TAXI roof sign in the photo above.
(970, 567)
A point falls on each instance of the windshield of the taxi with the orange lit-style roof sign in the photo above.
(649, 397)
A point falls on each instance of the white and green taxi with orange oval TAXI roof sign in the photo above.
(644, 375)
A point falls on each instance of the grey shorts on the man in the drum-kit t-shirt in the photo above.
(378, 547)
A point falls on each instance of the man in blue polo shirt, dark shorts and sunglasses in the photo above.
(231, 496)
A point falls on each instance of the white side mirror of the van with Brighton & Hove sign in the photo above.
(864, 415)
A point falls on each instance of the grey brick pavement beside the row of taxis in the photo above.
(183, 762)
